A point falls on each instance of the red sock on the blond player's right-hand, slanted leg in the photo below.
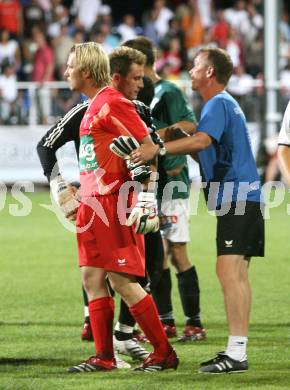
(145, 313)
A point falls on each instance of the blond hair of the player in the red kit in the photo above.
(91, 57)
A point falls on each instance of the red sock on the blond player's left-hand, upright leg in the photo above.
(101, 318)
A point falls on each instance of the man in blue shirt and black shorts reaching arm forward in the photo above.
(232, 189)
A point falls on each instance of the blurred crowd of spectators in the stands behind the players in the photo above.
(36, 35)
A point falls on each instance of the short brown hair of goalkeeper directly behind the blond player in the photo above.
(123, 57)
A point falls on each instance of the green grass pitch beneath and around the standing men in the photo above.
(41, 309)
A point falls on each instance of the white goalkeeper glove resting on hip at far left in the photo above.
(64, 195)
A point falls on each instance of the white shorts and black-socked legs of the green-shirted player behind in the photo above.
(175, 231)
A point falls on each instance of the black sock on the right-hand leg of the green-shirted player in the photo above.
(188, 287)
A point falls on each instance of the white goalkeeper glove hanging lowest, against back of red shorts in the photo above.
(144, 214)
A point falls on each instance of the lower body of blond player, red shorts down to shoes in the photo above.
(120, 258)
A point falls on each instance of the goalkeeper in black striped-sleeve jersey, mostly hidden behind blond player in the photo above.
(129, 83)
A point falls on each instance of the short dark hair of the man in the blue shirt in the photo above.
(221, 61)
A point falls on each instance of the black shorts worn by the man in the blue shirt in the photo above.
(241, 234)
